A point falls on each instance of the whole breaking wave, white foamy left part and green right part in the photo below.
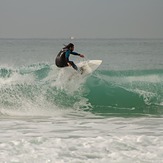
(42, 88)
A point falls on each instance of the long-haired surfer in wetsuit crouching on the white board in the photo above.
(62, 59)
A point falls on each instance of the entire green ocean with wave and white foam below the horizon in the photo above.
(114, 115)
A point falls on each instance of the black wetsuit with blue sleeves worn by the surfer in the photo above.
(63, 58)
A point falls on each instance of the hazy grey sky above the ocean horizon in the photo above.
(81, 18)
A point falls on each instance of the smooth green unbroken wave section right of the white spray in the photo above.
(127, 91)
